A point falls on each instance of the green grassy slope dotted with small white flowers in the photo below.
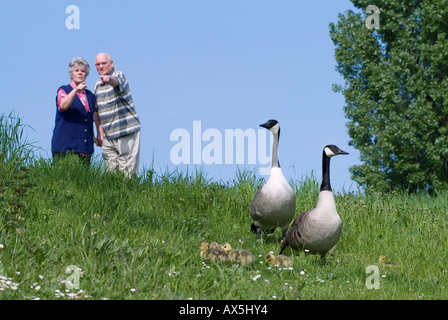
(139, 238)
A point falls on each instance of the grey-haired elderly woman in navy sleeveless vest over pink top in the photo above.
(73, 130)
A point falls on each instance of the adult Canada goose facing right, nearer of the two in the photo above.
(318, 230)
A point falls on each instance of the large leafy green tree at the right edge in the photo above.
(396, 92)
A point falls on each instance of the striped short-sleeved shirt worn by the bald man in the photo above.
(116, 108)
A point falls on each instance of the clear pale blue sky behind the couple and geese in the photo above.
(229, 64)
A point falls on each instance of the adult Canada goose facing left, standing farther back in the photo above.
(274, 204)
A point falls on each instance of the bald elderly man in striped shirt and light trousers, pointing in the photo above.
(119, 120)
